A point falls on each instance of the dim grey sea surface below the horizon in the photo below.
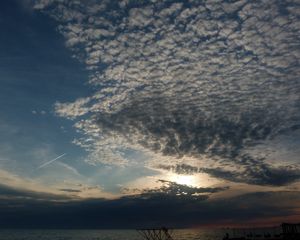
(186, 234)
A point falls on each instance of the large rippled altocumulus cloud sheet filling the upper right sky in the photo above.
(186, 79)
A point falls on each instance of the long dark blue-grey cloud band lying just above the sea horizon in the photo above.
(140, 211)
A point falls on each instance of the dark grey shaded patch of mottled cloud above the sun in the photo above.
(186, 130)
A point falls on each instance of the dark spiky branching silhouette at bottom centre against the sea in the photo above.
(155, 233)
